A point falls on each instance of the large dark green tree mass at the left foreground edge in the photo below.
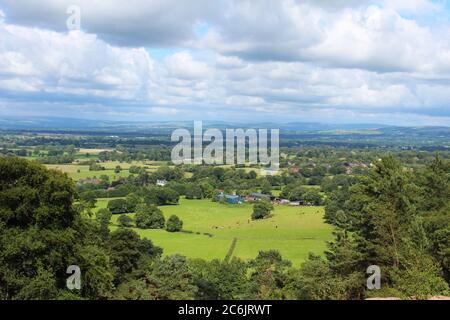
(41, 233)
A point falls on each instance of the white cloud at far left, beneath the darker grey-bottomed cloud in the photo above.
(73, 63)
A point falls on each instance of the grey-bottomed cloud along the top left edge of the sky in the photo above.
(131, 23)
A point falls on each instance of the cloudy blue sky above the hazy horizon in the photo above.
(329, 61)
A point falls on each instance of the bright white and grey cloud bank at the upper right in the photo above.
(373, 37)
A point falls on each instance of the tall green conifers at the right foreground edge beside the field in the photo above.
(393, 226)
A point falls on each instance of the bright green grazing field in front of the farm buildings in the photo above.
(294, 231)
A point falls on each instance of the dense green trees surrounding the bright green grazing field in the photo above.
(391, 215)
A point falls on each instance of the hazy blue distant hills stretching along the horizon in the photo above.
(295, 132)
